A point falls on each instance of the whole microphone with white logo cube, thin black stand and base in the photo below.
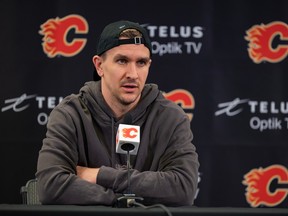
(127, 142)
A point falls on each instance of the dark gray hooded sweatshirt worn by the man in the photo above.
(81, 131)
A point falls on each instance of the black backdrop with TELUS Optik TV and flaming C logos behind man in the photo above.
(223, 62)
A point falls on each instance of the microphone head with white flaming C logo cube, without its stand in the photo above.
(127, 137)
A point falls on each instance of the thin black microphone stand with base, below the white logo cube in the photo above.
(128, 199)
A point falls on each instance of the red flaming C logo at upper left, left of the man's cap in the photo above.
(55, 33)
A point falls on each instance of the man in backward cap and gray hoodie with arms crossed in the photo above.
(78, 163)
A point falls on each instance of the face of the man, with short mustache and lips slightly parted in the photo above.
(124, 71)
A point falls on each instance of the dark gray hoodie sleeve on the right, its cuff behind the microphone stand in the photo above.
(172, 178)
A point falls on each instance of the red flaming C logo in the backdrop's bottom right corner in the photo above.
(258, 183)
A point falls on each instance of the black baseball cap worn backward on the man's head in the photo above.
(109, 37)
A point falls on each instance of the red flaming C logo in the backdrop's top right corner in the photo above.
(260, 39)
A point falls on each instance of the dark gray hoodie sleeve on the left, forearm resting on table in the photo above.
(56, 169)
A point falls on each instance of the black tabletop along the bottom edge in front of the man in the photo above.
(74, 210)
